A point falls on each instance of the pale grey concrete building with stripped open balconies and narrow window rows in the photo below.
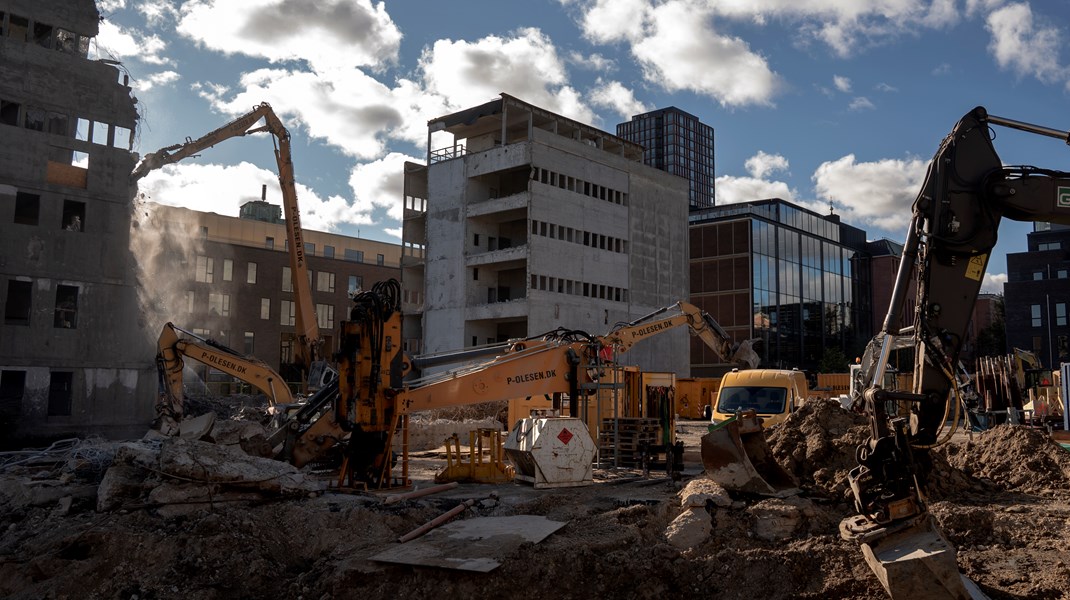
(532, 222)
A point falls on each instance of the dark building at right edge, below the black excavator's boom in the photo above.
(1037, 295)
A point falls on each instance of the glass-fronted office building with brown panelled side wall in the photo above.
(796, 280)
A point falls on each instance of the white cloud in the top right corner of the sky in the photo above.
(1020, 45)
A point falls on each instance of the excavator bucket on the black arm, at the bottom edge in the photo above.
(914, 562)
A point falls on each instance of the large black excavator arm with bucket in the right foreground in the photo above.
(967, 193)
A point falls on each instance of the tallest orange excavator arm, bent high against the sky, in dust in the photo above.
(309, 350)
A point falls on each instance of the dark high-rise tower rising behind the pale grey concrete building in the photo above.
(677, 143)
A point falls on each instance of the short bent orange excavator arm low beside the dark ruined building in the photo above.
(171, 351)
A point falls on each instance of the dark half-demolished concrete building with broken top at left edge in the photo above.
(74, 357)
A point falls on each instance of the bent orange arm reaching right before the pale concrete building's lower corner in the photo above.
(626, 335)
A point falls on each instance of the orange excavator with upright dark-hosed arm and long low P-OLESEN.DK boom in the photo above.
(371, 404)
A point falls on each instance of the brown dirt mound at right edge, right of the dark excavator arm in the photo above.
(1014, 458)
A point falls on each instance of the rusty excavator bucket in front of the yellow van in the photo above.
(737, 456)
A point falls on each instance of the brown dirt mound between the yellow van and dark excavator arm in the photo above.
(817, 444)
